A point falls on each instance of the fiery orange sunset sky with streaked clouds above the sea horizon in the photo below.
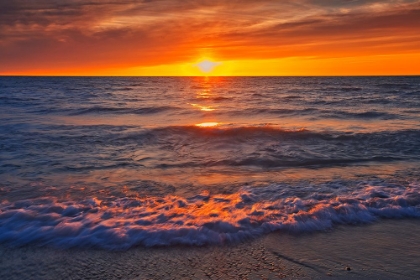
(178, 37)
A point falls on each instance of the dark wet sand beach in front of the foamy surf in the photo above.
(386, 250)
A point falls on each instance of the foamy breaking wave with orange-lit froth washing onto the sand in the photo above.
(121, 223)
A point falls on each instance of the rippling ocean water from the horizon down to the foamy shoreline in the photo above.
(112, 163)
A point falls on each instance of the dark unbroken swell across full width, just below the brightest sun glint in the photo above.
(191, 146)
